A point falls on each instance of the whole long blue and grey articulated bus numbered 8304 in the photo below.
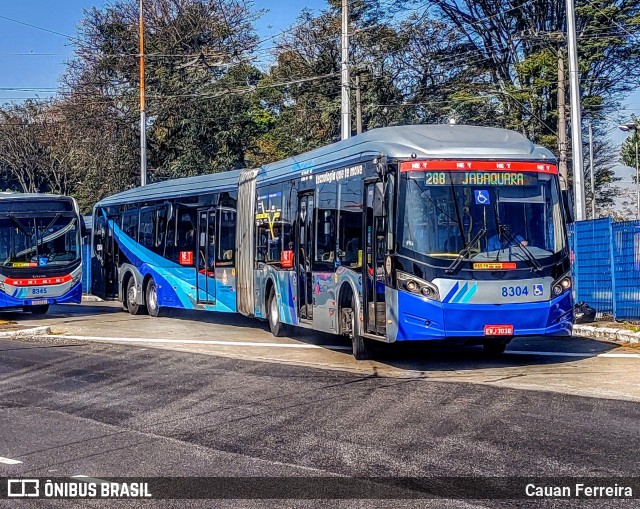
(424, 232)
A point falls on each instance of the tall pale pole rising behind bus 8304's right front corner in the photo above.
(576, 119)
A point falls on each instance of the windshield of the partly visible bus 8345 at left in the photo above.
(38, 242)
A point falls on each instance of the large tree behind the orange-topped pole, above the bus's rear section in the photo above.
(196, 60)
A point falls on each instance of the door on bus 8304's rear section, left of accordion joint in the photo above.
(205, 265)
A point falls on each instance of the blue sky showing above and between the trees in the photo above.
(32, 59)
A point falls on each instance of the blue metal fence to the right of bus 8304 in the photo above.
(606, 266)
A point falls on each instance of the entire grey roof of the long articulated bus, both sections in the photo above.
(399, 142)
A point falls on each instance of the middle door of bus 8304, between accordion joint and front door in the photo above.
(303, 258)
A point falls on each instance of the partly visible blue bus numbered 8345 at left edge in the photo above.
(40, 251)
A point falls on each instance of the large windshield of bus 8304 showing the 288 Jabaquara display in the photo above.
(483, 216)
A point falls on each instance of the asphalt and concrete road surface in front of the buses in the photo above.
(105, 409)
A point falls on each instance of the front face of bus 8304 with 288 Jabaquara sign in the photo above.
(482, 252)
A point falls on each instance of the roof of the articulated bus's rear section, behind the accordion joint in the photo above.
(175, 188)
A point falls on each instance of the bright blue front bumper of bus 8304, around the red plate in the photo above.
(420, 319)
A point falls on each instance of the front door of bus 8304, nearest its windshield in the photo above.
(375, 243)
